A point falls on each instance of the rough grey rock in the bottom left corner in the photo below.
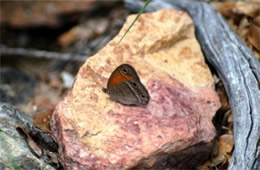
(14, 150)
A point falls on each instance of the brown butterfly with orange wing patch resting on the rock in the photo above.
(125, 87)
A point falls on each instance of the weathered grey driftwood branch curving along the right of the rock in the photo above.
(238, 69)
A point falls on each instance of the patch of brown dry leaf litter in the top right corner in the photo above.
(244, 19)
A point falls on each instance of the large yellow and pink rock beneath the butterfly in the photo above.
(175, 127)
